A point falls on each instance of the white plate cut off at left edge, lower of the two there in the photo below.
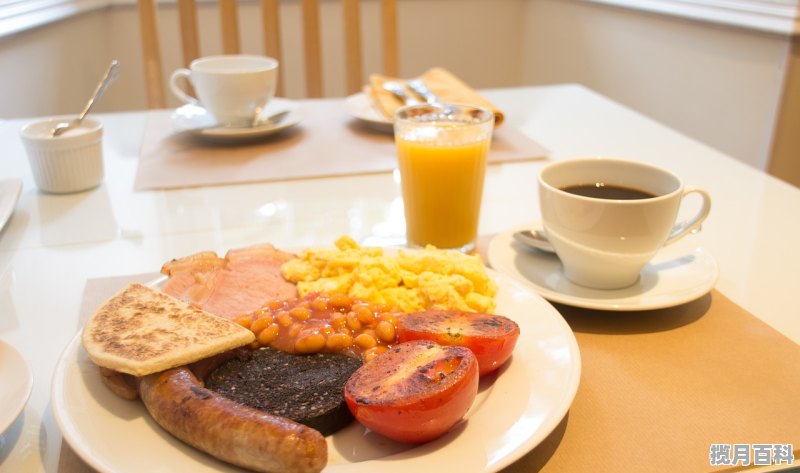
(16, 382)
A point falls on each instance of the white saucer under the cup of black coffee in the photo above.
(679, 273)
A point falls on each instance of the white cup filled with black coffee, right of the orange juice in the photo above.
(604, 242)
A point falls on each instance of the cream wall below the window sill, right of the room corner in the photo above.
(716, 83)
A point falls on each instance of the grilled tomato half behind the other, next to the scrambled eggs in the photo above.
(490, 337)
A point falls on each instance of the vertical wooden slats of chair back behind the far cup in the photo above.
(270, 18)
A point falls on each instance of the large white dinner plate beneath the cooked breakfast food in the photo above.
(514, 410)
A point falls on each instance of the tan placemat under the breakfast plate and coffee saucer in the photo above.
(657, 388)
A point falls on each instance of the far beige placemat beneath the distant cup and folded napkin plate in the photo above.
(327, 142)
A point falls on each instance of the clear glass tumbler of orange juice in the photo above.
(441, 152)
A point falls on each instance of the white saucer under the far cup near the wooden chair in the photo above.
(195, 120)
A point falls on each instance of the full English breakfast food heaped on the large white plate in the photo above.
(256, 356)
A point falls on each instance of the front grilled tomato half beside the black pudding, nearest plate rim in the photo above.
(415, 391)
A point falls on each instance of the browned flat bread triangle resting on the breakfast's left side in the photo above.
(142, 330)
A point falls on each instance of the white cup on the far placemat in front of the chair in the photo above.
(233, 88)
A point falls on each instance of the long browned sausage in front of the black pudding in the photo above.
(230, 431)
